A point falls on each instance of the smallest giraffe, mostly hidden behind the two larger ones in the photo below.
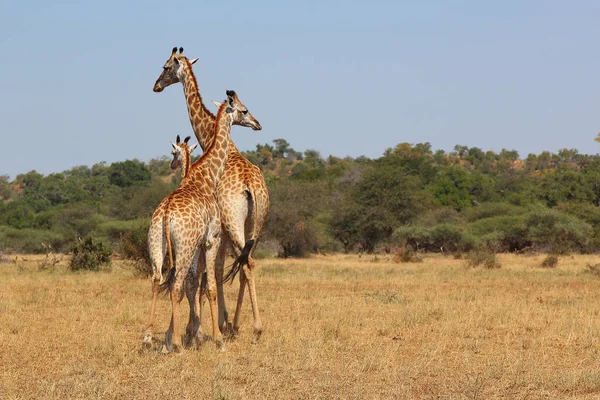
(181, 158)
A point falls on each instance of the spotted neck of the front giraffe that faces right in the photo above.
(212, 163)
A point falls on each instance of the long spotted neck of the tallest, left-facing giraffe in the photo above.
(202, 120)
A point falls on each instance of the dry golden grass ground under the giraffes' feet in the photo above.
(334, 327)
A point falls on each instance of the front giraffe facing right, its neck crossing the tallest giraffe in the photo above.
(188, 221)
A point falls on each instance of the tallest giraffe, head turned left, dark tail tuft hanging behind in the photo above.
(242, 192)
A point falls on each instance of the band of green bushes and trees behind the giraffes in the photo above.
(411, 197)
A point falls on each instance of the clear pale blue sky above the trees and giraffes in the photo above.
(342, 77)
